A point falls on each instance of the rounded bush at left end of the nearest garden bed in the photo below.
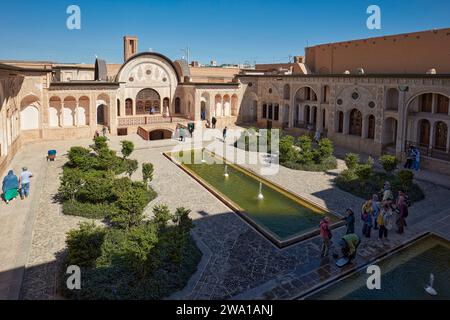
(84, 245)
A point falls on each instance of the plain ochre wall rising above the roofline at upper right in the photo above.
(411, 53)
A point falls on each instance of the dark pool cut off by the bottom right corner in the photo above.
(404, 275)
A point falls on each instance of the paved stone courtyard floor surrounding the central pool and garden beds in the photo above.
(238, 262)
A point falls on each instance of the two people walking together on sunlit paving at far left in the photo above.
(14, 186)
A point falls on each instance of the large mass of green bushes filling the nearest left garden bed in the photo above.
(142, 262)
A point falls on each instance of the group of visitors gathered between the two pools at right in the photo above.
(382, 215)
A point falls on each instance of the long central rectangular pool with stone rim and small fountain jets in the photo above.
(280, 215)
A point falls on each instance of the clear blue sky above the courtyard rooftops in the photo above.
(229, 31)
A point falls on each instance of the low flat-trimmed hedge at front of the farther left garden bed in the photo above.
(88, 210)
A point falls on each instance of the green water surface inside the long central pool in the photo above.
(277, 213)
